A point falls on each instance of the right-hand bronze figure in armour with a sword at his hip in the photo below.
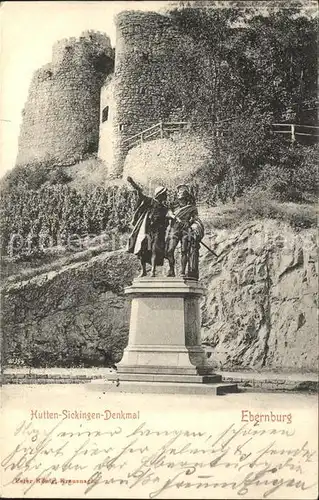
(186, 228)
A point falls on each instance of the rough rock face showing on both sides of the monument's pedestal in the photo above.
(260, 310)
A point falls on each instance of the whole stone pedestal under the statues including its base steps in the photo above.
(164, 352)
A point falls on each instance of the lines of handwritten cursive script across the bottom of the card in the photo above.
(240, 459)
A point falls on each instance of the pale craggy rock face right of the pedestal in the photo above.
(261, 304)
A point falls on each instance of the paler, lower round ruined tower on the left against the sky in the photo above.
(61, 116)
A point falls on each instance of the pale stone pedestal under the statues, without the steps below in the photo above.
(164, 328)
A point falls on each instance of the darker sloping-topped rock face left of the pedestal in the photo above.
(74, 316)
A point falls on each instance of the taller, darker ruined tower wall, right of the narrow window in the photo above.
(161, 74)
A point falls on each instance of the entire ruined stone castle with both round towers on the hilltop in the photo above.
(92, 98)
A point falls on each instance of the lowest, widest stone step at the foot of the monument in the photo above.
(216, 389)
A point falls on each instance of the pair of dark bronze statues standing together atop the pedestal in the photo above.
(158, 228)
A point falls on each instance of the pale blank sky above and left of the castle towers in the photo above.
(28, 32)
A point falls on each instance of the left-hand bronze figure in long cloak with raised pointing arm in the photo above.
(147, 239)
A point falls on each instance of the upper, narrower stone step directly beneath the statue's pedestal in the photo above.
(166, 377)
